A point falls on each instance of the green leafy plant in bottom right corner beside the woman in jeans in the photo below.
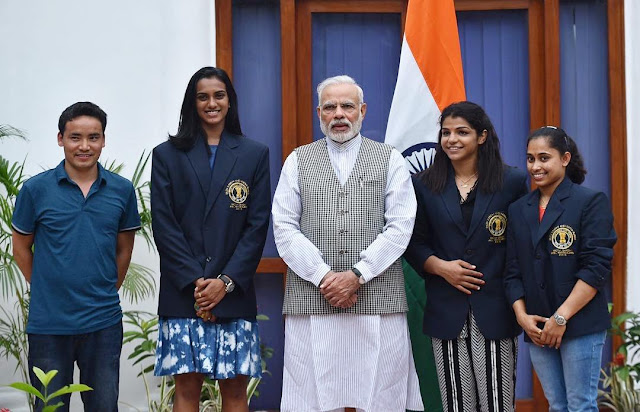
(619, 383)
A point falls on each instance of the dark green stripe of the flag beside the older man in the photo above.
(421, 343)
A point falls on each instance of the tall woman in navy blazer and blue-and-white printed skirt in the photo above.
(210, 205)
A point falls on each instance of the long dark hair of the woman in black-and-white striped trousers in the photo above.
(490, 165)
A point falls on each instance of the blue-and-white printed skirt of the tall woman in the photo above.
(218, 350)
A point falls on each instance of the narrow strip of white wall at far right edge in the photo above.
(632, 75)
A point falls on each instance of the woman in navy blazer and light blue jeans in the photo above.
(560, 246)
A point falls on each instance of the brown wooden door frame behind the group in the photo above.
(544, 91)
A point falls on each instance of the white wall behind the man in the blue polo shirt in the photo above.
(132, 58)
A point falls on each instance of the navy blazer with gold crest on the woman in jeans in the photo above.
(545, 259)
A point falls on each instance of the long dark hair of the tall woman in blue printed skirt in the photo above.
(190, 127)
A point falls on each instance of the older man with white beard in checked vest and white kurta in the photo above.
(343, 214)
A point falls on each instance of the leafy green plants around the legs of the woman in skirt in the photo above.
(143, 332)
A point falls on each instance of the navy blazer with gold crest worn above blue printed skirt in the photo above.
(210, 222)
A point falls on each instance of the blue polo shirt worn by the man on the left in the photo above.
(74, 275)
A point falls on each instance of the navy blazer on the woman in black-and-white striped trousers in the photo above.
(440, 230)
